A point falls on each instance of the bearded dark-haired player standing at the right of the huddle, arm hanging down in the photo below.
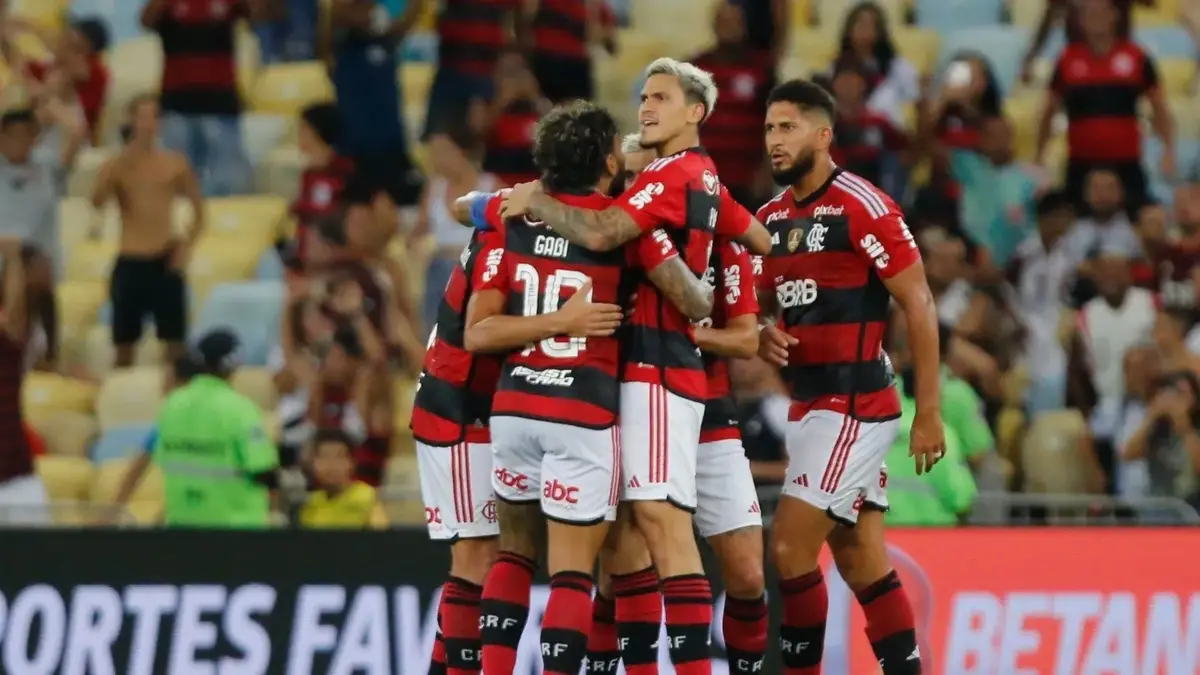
(842, 253)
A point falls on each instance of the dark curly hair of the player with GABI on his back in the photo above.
(572, 147)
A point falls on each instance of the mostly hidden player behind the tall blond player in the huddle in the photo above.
(728, 513)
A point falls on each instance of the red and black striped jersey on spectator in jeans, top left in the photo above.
(200, 69)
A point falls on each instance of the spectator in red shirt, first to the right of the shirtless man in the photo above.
(323, 181)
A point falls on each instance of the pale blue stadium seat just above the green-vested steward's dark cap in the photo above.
(253, 309)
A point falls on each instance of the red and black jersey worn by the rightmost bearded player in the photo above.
(830, 258)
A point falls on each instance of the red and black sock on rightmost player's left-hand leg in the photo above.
(802, 635)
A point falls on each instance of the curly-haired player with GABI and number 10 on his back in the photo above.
(554, 419)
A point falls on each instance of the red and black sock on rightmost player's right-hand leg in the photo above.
(891, 626)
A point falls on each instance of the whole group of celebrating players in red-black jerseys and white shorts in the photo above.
(575, 402)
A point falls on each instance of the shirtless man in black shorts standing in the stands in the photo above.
(148, 278)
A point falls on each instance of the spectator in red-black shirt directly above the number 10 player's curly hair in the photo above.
(508, 121)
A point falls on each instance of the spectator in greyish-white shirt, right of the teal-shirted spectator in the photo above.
(1041, 273)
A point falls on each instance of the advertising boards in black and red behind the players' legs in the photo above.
(989, 602)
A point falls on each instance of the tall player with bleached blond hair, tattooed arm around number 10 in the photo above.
(664, 385)
